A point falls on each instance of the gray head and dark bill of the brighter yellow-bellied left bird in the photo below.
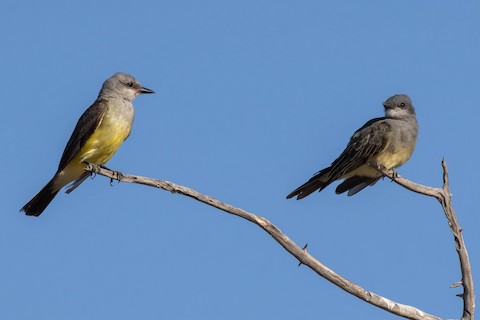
(122, 85)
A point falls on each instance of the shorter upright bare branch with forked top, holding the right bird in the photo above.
(444, 196)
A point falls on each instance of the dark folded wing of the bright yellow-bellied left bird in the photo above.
(86, 125)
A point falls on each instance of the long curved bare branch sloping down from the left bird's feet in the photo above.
(300, 253)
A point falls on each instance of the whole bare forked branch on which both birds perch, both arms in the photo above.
(304, 257)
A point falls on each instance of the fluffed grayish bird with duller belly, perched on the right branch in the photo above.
(381, 143)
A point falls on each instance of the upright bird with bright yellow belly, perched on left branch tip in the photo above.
(99, 132)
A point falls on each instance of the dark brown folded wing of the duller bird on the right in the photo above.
(366, 142)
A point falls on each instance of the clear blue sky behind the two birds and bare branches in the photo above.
(253, 97)
